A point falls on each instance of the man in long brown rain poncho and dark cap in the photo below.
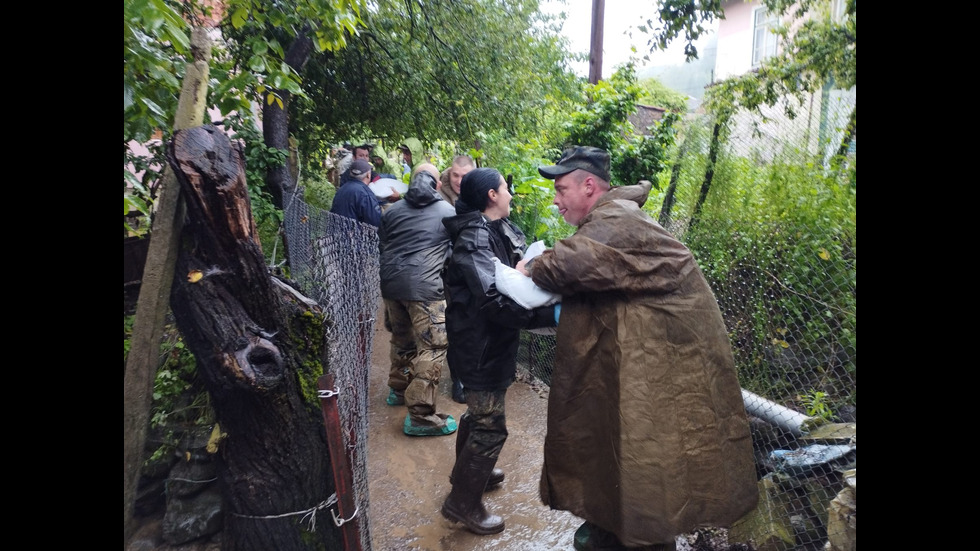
(647, 432)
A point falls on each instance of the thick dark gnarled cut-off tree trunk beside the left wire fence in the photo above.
(260, 347)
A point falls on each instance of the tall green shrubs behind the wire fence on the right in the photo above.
(777, 243)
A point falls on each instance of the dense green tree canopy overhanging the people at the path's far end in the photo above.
(443, 71)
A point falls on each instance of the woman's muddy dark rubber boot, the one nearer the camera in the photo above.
(465, 501)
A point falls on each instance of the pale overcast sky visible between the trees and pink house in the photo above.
(620, 16)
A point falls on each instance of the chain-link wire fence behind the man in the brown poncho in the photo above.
(772, 222)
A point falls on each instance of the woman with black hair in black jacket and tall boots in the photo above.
(483, 326)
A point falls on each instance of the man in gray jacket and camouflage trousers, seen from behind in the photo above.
(414, 248)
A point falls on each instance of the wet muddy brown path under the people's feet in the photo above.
(409, 476)
